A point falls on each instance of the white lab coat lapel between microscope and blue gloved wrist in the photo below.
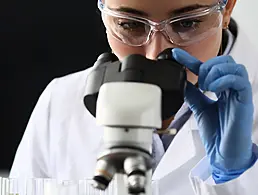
(184, 152)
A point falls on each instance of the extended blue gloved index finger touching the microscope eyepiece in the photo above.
(184, 58)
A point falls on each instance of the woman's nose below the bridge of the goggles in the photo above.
(157, 44)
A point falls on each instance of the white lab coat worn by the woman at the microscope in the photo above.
(62, 140)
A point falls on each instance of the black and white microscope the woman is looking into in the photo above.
(130, 99)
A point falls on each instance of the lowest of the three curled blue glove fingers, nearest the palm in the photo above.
(233, 82)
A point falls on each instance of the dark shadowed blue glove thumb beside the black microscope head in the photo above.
(196, 100)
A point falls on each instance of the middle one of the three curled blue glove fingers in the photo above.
(221, 70)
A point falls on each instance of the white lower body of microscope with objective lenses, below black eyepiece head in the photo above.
(129, 112)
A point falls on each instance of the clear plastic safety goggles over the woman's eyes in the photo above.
(182, 30)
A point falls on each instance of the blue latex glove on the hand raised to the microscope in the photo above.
(225, 126)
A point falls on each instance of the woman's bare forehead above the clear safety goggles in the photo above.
(157, 8)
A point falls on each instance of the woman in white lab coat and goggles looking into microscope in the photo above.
(62, 140)
